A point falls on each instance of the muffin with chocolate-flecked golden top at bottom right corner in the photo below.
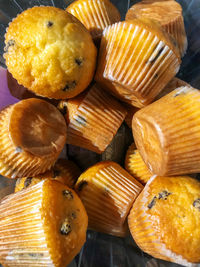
(164, 220)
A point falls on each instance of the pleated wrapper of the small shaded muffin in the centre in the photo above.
(96, 121)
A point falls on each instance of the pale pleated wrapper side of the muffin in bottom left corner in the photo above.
(22, 241)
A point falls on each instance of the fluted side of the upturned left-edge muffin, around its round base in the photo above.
(15, 161)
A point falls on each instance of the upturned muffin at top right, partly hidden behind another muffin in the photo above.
(168, 14)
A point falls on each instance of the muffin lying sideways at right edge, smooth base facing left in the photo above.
(166, 133)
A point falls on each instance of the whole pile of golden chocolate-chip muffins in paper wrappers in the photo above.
(88, 72)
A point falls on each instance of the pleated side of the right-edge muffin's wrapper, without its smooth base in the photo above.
(180, 129)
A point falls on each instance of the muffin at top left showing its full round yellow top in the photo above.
(46, 50)
